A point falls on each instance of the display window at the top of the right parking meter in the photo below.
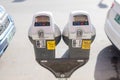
(80, 20)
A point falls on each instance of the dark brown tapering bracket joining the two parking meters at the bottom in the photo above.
(62, 68)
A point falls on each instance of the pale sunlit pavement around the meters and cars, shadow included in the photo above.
(18, 61)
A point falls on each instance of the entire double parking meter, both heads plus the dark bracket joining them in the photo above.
(78, 34)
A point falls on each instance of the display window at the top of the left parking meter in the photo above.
(42, 21)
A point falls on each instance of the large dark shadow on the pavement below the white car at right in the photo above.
(108, 64)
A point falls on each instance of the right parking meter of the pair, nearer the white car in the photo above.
(78, 34)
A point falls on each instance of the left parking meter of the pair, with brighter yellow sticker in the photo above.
(44, 34)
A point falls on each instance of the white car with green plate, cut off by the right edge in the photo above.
(112, 24)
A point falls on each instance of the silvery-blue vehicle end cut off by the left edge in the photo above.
(7, 29)
